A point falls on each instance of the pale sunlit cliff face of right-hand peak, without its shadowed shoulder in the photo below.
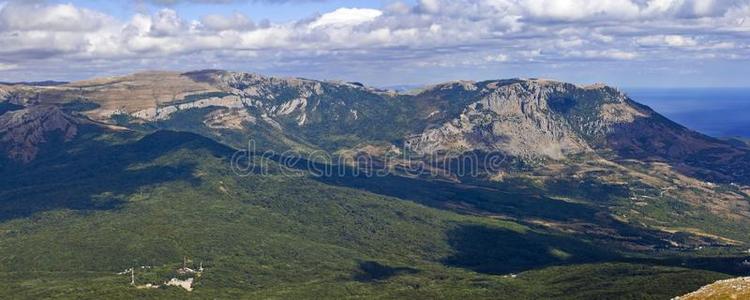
(516, 119)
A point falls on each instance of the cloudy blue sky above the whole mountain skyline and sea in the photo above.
(625, 43)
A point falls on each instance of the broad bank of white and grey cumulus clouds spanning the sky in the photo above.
(434, 33)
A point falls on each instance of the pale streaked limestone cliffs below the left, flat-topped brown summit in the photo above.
(279, 102)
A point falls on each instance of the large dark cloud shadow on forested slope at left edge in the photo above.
(89, 175)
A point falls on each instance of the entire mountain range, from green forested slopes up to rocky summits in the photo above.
(593, 195)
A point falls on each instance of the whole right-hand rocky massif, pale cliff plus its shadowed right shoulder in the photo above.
(533, 119)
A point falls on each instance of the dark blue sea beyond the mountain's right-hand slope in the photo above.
(719, 112)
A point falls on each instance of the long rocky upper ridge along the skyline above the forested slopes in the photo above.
(532, 119)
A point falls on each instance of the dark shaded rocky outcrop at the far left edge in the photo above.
(23, 131)
